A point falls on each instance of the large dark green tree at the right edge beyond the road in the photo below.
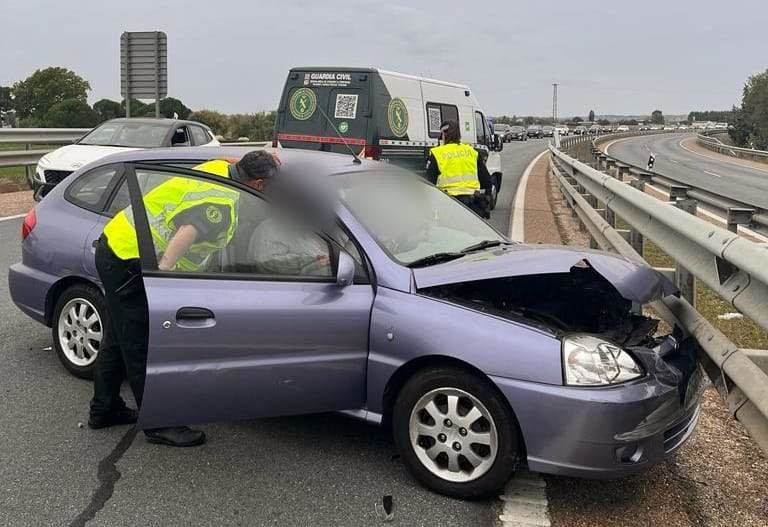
(750, 126)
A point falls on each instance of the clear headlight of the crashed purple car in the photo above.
(592, 361)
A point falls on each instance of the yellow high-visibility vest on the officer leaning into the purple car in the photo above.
(168, 200)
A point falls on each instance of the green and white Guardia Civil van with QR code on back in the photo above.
(382, 115)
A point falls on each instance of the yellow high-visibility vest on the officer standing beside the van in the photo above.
(457, 164)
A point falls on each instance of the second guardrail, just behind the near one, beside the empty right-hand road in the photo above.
(734, 212)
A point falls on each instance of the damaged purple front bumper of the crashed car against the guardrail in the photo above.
(614, 431)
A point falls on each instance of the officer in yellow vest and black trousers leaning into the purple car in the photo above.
(189, 220)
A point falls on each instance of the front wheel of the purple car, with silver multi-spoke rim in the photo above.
(496, 454)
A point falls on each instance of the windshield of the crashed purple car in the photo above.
(411, 219)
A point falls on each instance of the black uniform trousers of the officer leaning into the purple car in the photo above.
(123, 351)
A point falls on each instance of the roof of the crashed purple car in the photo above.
(291, 159)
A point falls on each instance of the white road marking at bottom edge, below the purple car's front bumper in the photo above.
(525, 501)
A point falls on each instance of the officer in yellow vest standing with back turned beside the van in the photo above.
(458, 170)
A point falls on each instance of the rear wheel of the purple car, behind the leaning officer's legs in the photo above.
(78, 328)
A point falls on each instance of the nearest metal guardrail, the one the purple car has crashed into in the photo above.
(731, 265)
